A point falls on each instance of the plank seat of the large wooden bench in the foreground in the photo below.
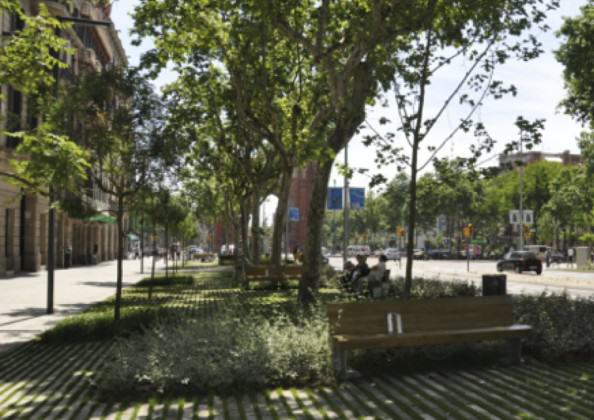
(429, 338)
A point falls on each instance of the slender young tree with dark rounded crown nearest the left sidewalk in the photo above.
(120, 119)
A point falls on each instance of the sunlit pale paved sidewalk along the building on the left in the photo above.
(23, 298)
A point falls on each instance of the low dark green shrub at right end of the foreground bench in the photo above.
(563, 327)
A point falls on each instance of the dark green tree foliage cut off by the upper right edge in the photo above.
(575, 53)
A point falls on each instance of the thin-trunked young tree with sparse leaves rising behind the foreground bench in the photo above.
(483, 33)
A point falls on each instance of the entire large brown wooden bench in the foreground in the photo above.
(413, 323)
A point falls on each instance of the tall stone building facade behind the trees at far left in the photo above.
(24, 217)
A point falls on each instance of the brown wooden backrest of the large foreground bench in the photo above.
(421, 315)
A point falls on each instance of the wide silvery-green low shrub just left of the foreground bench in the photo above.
(233, 350)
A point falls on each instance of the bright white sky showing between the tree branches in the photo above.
(539, 83)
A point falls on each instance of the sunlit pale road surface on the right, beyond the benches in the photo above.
(554, 279)
